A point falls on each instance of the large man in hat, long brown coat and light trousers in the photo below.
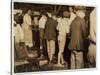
(78, 34)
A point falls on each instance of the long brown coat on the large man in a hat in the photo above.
(78, 34)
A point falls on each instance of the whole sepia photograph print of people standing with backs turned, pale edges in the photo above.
(52, 37)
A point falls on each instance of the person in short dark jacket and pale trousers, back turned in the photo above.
(50, 35)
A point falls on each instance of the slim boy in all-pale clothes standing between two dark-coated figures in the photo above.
(63, 28)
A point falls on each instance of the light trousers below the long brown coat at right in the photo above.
(77, 59)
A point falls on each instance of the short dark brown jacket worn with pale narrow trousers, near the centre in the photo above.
(50, 29)
